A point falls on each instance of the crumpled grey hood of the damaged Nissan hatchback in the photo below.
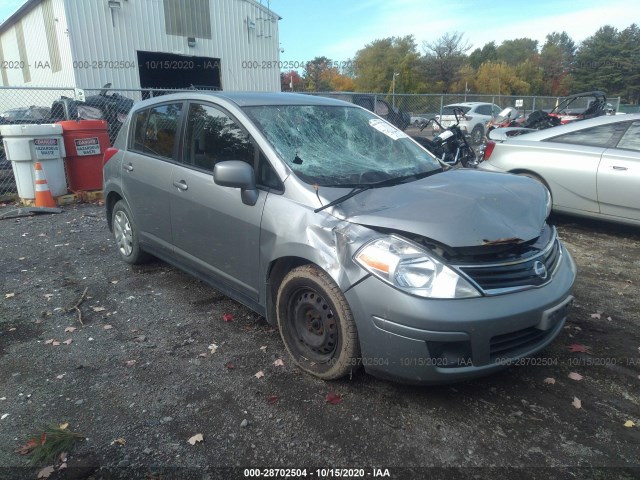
(458, 208)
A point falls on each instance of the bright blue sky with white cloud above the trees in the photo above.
(337, 29)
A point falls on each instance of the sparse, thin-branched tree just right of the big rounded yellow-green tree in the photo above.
(443, 59)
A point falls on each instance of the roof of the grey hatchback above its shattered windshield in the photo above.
(250, 99)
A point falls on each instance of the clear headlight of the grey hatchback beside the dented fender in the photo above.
(412, 269)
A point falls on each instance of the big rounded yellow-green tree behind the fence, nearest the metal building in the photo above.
(376, 64)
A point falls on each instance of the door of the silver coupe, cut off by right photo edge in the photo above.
(619, 175)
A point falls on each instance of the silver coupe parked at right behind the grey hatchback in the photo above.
(591, 168)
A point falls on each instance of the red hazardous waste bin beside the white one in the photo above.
(85, 142)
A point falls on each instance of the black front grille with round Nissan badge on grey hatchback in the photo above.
(505, 277)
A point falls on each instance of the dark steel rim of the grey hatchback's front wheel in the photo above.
(314, 325)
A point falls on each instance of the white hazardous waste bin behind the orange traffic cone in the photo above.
(26, 144)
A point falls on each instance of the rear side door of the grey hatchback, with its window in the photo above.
(147, 168)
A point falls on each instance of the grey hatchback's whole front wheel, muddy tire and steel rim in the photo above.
(316, 324)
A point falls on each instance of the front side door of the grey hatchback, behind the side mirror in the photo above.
(213, 231)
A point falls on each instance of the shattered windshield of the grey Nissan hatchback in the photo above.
(340, 146)
